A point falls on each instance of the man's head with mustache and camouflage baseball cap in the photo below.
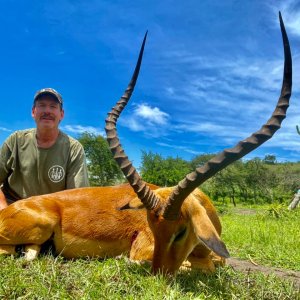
(47, 109)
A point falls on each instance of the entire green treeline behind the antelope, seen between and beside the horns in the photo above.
(252, 181)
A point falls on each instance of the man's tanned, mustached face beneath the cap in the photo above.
(47, 112)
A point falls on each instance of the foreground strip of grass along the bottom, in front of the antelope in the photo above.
(50, 278)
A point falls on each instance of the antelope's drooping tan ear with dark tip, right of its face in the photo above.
(206, 232)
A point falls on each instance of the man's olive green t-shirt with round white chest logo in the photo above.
(27, 170)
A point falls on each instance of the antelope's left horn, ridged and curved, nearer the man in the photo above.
(141, 189)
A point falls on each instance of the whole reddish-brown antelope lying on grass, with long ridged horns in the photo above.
(173, 227)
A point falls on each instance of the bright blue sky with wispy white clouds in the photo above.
(211, 72)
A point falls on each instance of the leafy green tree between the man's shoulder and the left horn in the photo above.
(102, 168)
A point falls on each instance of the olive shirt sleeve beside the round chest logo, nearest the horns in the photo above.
(77, 175)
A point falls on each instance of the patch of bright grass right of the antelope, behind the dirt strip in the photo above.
(271, 236)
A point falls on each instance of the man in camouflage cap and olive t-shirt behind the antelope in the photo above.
(44, 159)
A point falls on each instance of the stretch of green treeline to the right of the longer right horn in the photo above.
(255, 181)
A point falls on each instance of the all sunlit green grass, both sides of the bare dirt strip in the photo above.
(268, 238)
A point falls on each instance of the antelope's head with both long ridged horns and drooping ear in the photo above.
(177, 220)
